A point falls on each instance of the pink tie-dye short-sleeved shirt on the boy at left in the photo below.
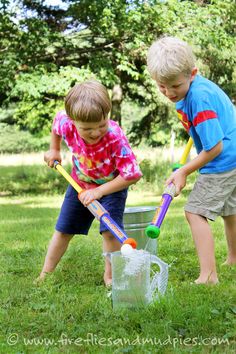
(98, 163)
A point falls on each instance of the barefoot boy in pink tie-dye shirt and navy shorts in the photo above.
(103, 165)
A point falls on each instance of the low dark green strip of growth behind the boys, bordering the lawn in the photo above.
(39, 179)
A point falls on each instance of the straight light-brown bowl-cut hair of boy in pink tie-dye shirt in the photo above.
(88, 102)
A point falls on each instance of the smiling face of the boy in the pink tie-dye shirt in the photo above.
(92, 132)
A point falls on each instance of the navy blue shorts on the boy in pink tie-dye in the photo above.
(75, 218)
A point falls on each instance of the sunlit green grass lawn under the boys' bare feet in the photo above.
(70, 312)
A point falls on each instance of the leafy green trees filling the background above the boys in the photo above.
(45, 49)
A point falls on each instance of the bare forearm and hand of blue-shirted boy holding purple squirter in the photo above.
(179, 176)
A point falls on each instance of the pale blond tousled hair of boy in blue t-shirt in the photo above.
(168, 57)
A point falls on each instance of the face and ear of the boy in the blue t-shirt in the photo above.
(177, 88)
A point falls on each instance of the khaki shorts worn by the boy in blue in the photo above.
(214, 194)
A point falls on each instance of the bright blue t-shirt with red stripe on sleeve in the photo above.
(209, 116)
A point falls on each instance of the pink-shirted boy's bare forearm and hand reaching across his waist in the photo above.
(117, 184)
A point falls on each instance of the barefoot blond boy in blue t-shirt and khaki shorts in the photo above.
(209, 117)
